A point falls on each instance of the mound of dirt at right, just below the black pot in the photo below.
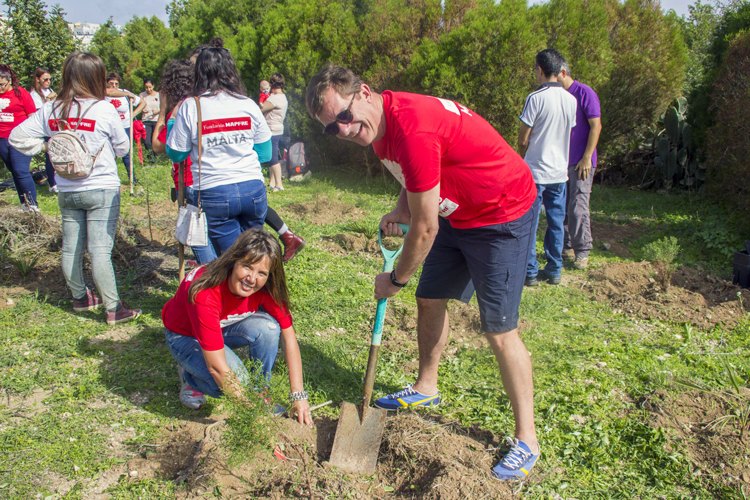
(692, 297)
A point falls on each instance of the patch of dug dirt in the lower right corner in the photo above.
(695, 418)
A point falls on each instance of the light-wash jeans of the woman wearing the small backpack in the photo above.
(89, 220)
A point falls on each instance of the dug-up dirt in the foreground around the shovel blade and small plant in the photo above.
(420, 457)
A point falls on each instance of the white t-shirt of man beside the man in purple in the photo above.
(551, 114)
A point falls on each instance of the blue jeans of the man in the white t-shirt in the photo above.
(552, 196)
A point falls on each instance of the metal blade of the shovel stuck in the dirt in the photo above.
(357, 441)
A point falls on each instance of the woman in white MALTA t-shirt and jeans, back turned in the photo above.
(227, 182)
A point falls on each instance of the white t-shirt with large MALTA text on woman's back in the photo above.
(231, 127)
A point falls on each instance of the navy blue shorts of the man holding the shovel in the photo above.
(490, 260)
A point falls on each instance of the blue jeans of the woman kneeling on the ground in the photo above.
(259, 332)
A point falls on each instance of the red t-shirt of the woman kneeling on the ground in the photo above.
(215, 308)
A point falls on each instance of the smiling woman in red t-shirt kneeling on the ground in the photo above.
(238, 300)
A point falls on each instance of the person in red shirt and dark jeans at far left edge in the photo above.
(16, 105)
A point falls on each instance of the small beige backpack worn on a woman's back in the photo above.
(69, 155)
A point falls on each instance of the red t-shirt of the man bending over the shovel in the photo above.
(429, 140)
